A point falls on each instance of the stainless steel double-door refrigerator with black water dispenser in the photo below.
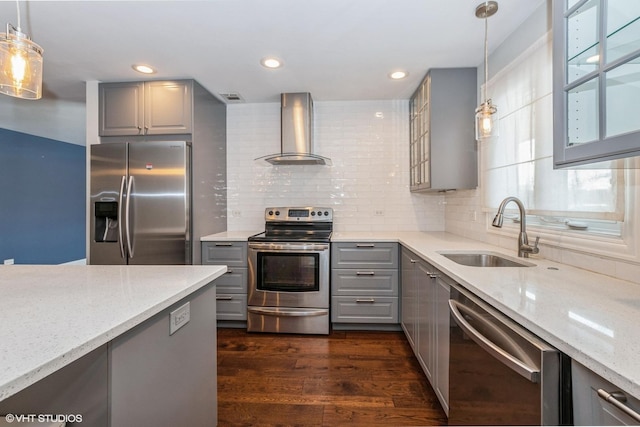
(140, 203)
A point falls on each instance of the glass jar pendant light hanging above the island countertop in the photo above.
(20, 63)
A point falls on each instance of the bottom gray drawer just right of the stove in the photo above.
(364, 309)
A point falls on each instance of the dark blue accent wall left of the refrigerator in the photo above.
(42, 199)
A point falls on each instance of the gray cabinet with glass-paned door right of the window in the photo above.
(596, 84)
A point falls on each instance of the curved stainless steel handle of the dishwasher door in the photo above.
(530, 373)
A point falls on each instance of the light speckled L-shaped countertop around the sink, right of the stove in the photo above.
(588, 316)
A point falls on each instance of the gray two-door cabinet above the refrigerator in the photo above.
(145, 108)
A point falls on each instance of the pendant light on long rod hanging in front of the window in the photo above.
(486, 113)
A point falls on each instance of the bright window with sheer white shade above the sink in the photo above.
(520, 161)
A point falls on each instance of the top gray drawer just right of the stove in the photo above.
(364, 255)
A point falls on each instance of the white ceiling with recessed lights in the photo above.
(335, 49)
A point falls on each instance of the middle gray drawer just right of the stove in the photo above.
(364, 282)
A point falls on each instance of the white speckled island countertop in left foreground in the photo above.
(51, 316)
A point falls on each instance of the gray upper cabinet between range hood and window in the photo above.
(443, 150)
